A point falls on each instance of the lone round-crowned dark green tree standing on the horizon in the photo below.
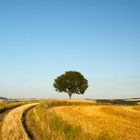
(71, 82)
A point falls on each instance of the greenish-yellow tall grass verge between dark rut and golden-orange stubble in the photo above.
(43, 123)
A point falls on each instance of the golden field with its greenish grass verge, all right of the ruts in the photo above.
(82, 120)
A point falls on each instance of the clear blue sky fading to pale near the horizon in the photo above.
(41, 39)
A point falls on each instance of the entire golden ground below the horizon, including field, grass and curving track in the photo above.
(70, 120)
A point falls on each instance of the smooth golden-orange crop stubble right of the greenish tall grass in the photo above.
(114, 122)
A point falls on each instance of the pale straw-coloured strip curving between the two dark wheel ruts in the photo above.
(12, 128)
